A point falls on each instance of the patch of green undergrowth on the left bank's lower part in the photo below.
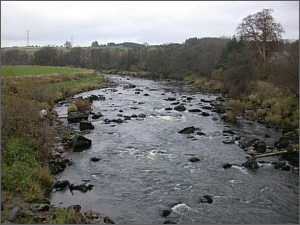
(21, 172)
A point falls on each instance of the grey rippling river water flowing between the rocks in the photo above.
(144, 165)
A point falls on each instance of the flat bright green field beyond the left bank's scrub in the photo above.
(16, 71)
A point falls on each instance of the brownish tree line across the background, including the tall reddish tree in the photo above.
(256, 53)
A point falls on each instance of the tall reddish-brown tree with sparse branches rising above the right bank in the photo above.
(260, 29)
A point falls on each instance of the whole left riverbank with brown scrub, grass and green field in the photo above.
(26, 138)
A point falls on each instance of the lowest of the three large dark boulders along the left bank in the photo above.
(77, 141)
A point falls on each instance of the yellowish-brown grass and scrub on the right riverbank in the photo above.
(265, 102)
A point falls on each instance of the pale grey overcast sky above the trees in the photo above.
(154, 22)
